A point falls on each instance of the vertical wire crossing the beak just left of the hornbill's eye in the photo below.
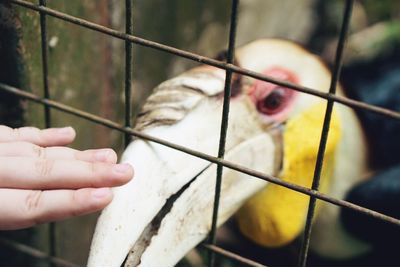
(224, 126)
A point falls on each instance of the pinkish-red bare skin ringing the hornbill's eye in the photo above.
(262, 89)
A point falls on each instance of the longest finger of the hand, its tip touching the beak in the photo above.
(34, 173)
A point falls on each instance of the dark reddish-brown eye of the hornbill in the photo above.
(274, 102)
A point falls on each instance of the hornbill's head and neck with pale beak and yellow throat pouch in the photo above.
(166, 209)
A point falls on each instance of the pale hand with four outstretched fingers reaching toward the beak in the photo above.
(42, 180)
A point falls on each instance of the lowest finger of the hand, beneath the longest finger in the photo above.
(25, 208)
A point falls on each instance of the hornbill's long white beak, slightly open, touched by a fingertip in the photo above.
(166, 209)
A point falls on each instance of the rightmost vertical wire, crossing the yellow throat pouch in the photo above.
(325, 131)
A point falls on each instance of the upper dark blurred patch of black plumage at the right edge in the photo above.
(377, 82)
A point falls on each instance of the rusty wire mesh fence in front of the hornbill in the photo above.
(228, 66)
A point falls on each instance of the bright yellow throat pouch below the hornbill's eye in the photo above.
(275, 216)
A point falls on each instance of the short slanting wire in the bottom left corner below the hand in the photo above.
(38, 254)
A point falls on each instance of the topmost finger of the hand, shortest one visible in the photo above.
(46, 137)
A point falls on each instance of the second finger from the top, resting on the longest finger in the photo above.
(26, 149)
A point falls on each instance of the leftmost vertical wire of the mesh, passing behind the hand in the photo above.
(47, 116)
